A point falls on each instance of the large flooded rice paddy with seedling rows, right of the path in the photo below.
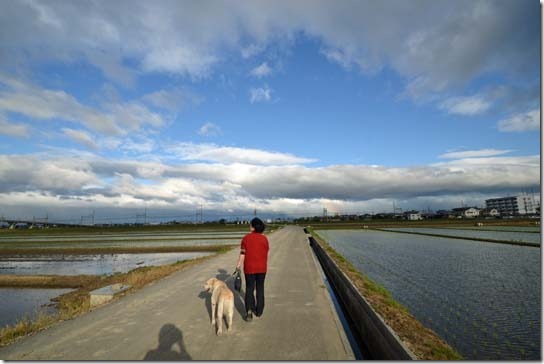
(482, 298)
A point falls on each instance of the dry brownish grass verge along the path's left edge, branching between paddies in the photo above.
(77, 302)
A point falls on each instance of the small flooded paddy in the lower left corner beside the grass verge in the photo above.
(19, 303)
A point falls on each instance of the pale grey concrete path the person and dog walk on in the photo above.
(170, 319)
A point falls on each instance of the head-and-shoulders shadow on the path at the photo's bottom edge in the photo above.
(169, 335)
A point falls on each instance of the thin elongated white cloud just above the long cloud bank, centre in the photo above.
(215, 153)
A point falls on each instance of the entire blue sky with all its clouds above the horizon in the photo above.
(287, 107)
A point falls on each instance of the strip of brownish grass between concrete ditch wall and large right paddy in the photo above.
(422, 341)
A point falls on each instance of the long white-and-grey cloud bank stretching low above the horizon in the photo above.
(83, 180)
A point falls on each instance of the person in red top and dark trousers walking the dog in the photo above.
(254, 255)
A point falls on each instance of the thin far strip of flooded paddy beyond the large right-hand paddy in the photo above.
(515, 236)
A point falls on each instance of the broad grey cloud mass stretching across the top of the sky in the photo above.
(442, 43)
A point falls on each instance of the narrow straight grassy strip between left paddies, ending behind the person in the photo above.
(114, 250)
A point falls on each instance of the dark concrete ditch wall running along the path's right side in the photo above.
(374, 337)
